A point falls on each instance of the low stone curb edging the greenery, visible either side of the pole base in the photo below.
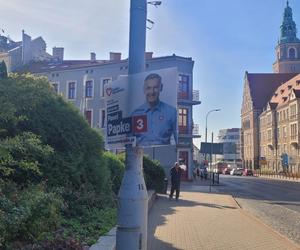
(108, 241)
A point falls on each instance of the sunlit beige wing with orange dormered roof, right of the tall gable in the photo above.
(279, 129)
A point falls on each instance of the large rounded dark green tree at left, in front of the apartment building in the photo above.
(76, 162)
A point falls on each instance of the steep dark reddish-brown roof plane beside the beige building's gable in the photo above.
(263, 85)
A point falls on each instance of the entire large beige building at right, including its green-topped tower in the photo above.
(268, 128)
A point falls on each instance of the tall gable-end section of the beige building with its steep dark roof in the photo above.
(258, 89)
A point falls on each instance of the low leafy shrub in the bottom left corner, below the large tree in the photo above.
(27, 215)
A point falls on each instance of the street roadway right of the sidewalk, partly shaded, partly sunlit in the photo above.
(274, 202)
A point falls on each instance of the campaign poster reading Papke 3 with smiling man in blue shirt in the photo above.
(142, 109)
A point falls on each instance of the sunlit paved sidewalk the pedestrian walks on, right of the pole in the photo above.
(203, 220)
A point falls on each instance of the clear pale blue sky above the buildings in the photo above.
(224, 37)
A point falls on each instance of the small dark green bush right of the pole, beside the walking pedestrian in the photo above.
(154, 175)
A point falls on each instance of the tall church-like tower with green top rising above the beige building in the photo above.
(288, 47)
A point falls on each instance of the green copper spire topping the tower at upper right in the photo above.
(288, 27)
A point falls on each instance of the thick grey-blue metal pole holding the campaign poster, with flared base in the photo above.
(133, 197)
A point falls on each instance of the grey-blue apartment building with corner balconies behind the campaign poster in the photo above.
(82, 82)
